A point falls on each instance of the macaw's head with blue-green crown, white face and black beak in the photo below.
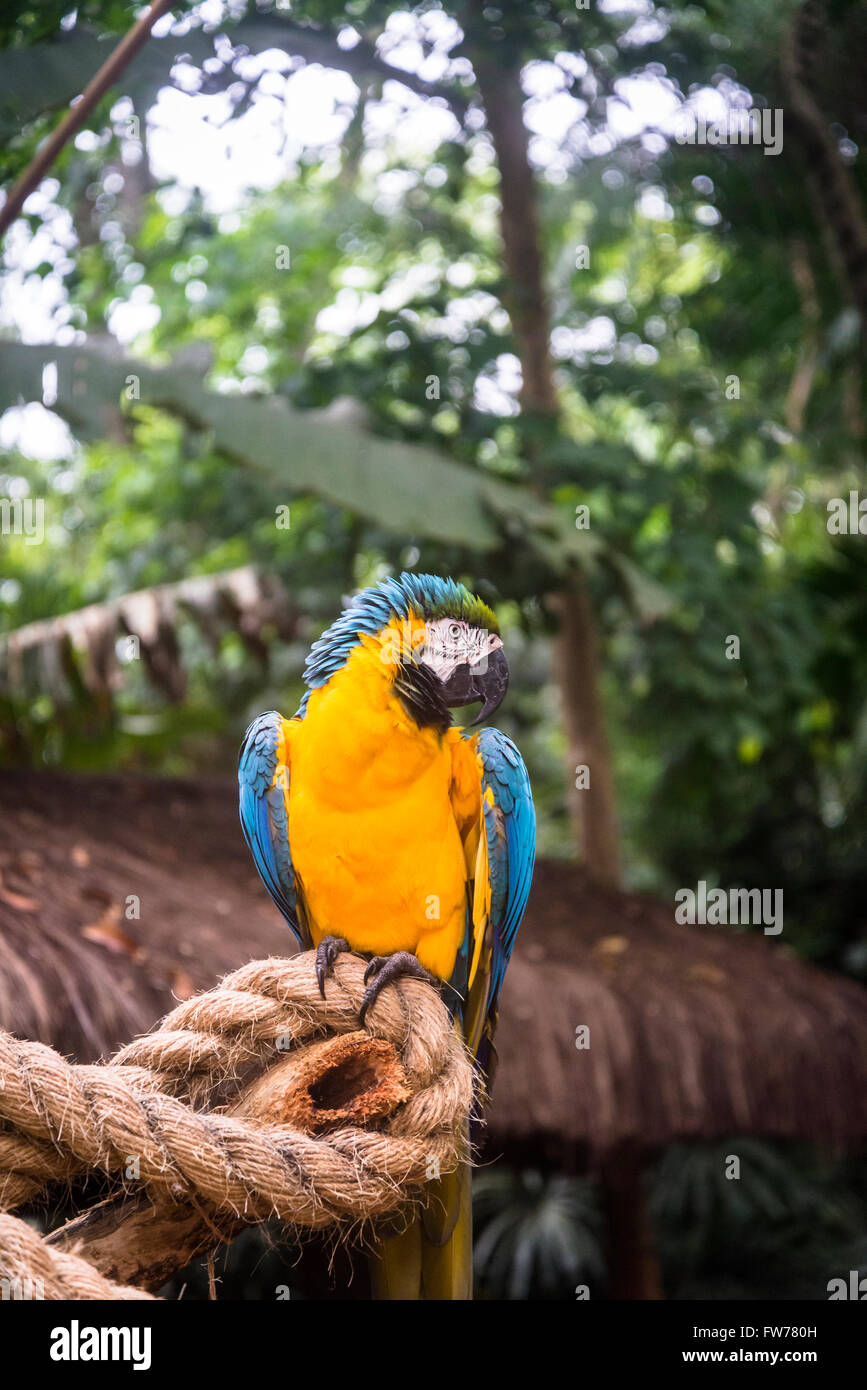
(441, 641)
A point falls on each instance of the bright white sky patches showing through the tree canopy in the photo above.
(194, 145)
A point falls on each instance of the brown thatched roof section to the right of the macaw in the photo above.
(695, 1032)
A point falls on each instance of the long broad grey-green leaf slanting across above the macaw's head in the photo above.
(306, 451)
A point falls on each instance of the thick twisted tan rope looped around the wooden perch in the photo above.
(59, 1121)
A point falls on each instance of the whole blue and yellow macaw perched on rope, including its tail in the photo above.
(380, 828)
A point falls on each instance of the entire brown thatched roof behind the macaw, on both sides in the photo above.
(695, 1032)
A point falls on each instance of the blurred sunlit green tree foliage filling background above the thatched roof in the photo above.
(733, 771)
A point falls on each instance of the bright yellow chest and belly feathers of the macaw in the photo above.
(383, 818)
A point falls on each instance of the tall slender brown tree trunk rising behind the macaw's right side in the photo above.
(594, 811)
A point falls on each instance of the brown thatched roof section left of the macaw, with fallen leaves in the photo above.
(76, 971)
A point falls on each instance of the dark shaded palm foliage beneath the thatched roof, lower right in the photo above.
(782, 1229)
